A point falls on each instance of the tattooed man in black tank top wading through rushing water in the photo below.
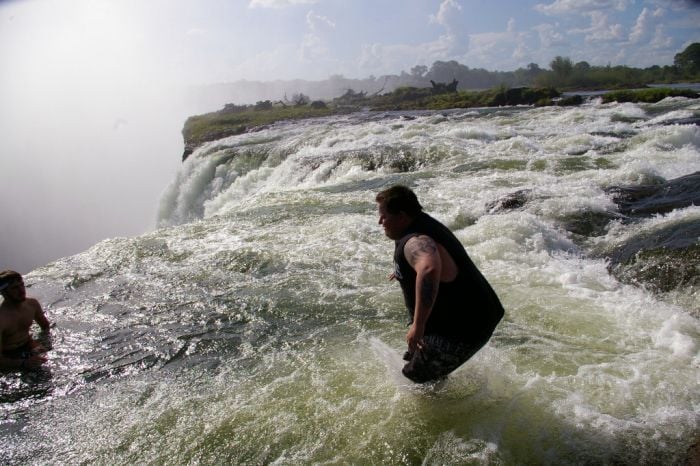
(452, 308)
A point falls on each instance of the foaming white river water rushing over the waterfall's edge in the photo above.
(257, 325)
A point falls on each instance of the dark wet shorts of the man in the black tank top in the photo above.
(438, 357)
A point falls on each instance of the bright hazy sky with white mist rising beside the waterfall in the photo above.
(93, 93)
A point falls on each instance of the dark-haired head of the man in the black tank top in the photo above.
(398, 206)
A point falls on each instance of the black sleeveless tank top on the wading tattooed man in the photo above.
(465, 308)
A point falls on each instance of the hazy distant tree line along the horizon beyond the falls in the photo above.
(562, 74)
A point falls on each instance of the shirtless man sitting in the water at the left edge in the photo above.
(18, 350)
